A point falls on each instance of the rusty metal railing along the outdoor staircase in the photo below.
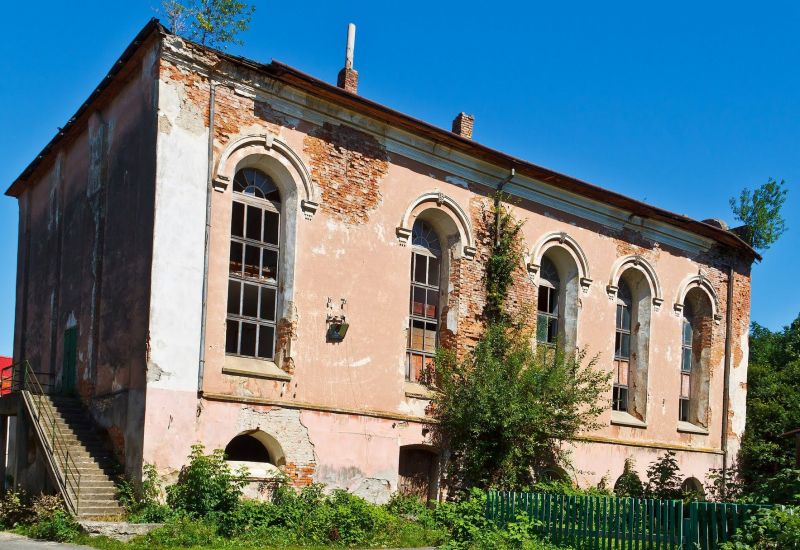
(50, 433)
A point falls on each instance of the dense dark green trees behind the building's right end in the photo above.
(773, 402)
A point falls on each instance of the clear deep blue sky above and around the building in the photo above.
(679, 104)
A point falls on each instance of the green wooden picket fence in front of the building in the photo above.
(598, 522)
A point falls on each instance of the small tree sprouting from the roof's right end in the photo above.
(760, 212)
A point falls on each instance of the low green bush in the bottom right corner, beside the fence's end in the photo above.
(769, 529)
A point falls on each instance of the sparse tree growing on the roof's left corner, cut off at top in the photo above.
(214, 23)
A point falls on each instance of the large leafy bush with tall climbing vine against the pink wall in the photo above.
(504, 411)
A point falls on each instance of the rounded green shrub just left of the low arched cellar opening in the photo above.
(206, 485)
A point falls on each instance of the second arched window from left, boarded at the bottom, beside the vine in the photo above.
(423, 329)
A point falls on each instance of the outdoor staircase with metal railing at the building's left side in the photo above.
(83, 470)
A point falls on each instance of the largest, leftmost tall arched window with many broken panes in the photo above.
(253, 275)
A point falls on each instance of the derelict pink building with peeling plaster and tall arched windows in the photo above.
(238, 254)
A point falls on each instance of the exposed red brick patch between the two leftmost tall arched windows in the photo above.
(348, 166)
